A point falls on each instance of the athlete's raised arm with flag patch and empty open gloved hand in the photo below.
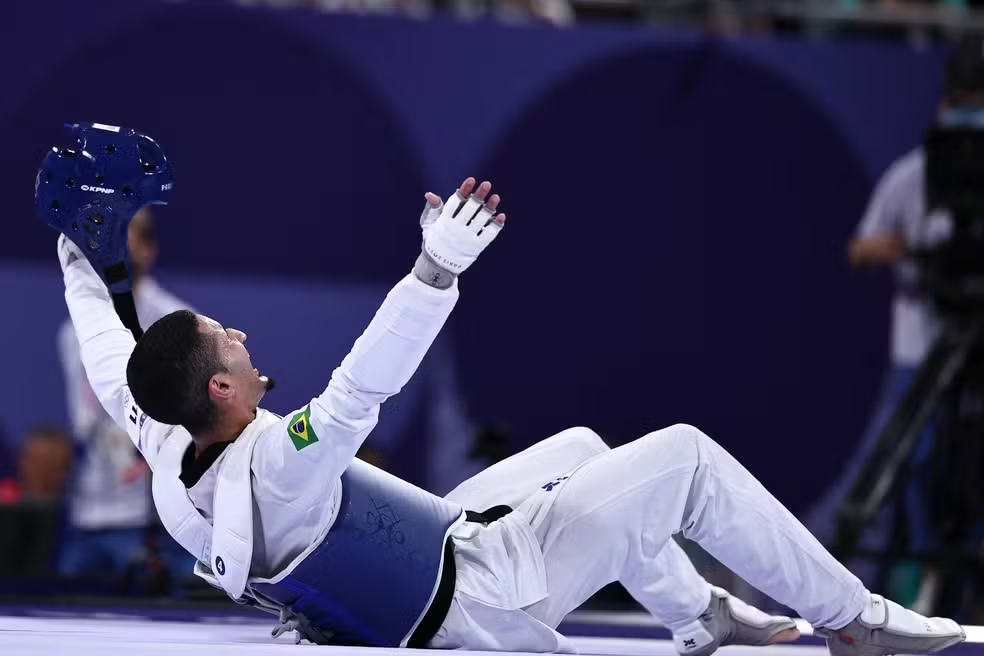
(318, 441)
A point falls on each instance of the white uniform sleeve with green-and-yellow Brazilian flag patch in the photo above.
(310, 449)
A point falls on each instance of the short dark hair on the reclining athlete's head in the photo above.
(169, 371)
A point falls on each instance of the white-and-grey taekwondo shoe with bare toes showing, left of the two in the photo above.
(730, 621)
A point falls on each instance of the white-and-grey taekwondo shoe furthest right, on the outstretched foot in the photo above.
(885, 628)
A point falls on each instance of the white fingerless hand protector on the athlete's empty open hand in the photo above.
(459, 234)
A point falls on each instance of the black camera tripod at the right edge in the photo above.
(948, 390)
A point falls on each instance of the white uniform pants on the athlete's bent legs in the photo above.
(610, 515)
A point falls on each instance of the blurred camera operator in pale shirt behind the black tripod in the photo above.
(895, 223)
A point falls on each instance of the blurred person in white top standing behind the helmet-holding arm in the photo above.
(111, 517)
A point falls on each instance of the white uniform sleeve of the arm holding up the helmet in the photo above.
(104, 347)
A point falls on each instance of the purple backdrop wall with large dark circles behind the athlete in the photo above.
(678, 205)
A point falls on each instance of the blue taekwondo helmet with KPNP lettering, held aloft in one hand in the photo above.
(90, 189)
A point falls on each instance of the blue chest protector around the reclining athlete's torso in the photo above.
(374, 577)
